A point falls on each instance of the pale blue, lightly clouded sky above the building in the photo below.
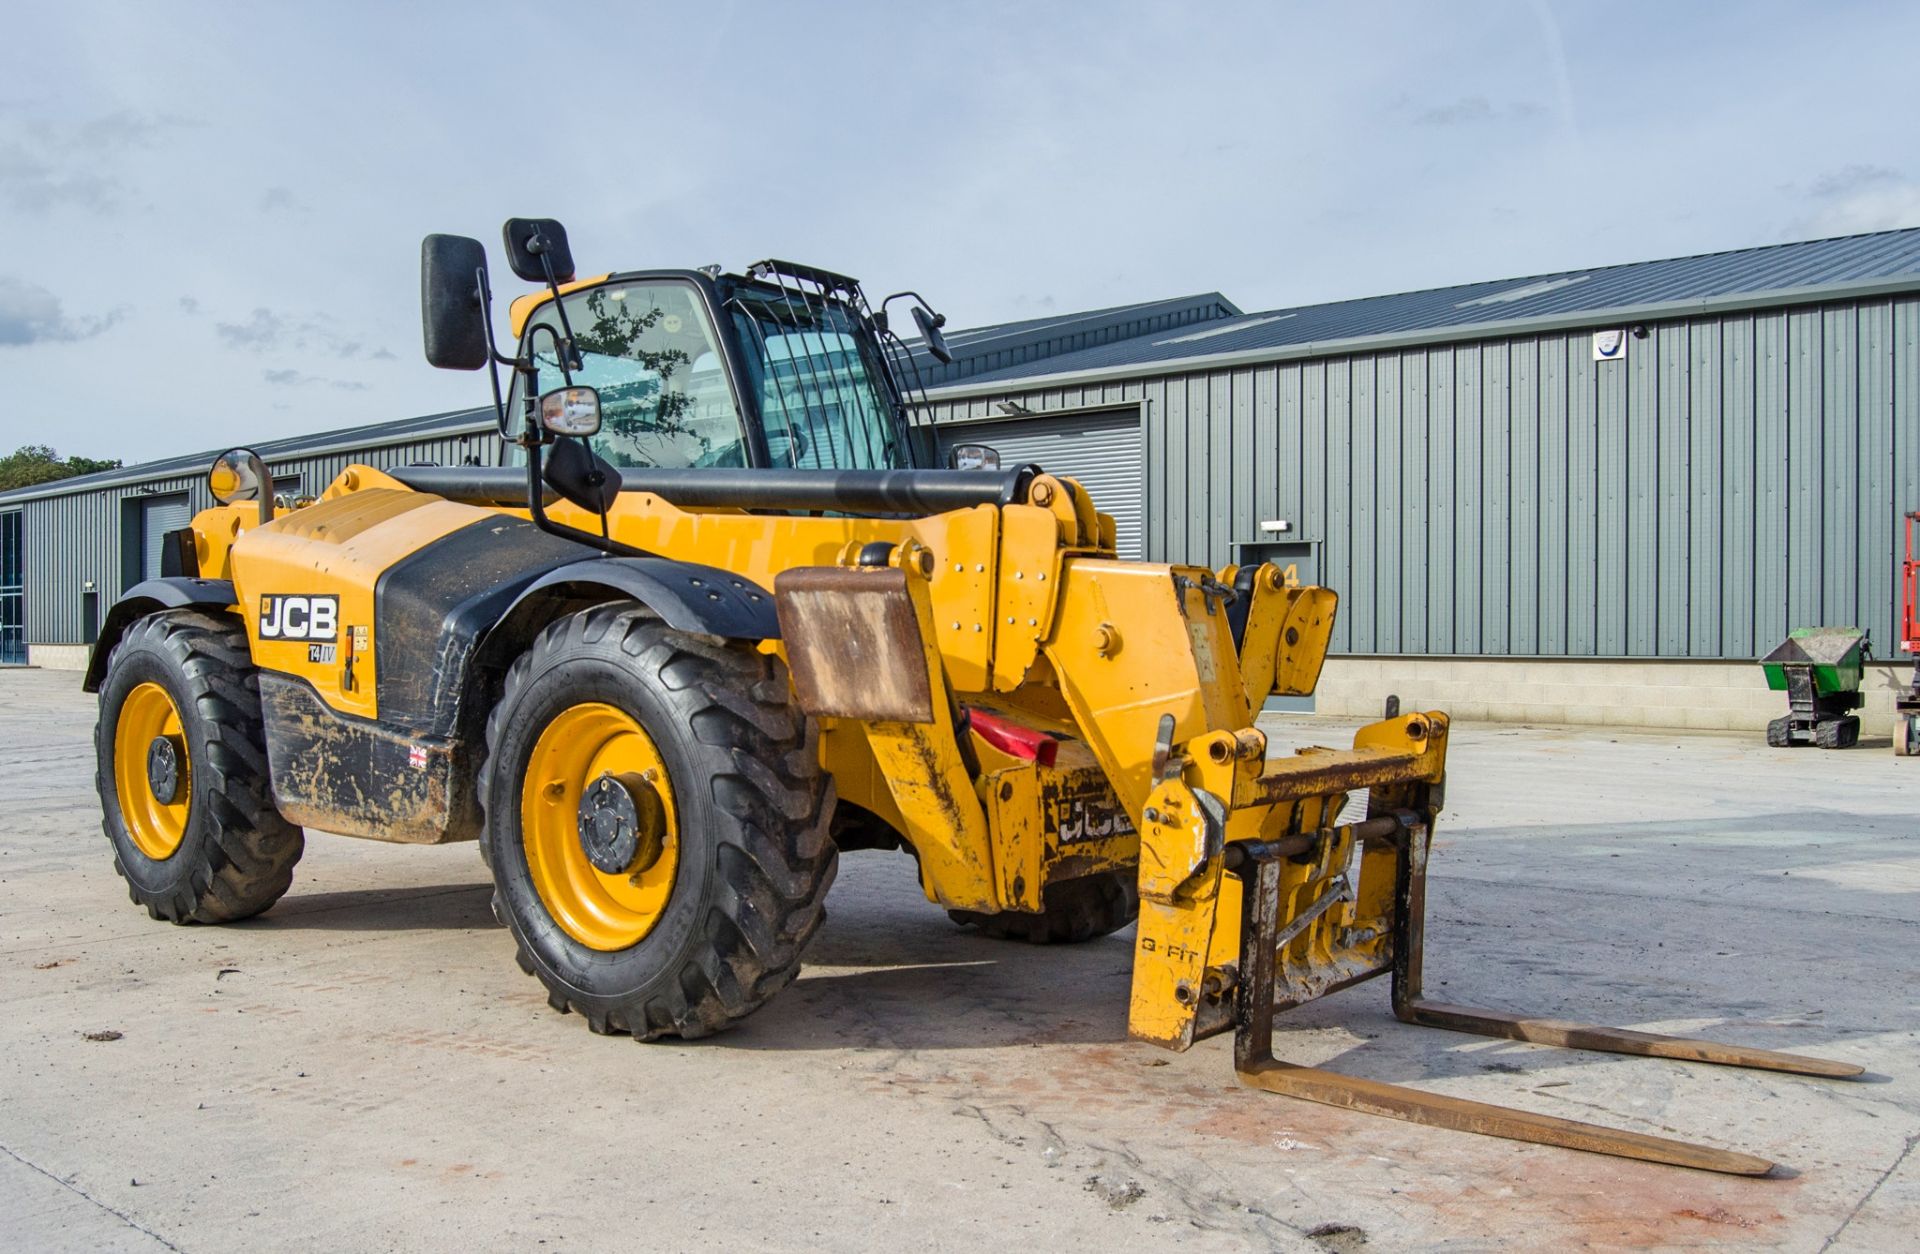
(210, 214)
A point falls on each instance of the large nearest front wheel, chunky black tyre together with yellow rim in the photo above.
(704, 921)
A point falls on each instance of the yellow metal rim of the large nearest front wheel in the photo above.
(602, 911)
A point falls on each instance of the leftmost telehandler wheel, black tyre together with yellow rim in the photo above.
(231, 856)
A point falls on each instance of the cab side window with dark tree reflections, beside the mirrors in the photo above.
(652, 352)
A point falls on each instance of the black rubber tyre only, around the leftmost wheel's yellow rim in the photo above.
(239, 852)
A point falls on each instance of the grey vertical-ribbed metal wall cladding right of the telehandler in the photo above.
(1735, 477)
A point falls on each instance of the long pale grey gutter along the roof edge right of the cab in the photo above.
(1439, 335)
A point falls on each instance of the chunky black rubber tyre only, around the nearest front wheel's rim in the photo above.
(773, 802)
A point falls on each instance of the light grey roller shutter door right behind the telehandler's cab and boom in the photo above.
(1101, 450)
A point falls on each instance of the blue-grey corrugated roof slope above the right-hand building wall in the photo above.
(1600, 291)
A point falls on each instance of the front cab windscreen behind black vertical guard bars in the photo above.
(823, 397)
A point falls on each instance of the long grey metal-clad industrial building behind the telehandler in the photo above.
(1591, 496)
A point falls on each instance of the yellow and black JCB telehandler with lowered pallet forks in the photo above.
(717, 627)
